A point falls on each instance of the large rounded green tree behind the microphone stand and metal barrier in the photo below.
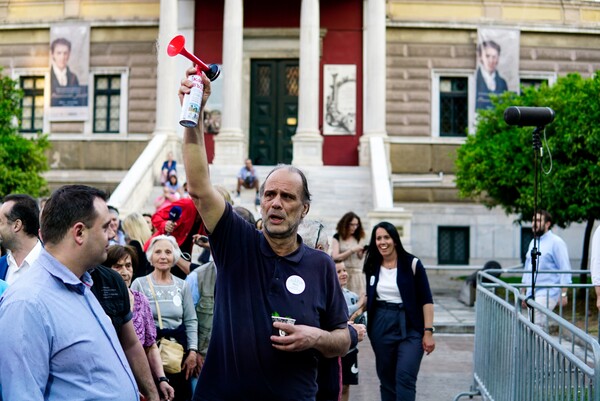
(496, 165)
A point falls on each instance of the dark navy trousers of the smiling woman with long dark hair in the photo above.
(398, 352)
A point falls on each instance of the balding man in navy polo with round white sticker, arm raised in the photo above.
(262, 274)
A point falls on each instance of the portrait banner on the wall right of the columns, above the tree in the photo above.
(497, 64)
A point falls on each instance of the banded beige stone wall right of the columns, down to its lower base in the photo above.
(414, 53)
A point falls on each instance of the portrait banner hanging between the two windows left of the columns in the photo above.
(69, 72)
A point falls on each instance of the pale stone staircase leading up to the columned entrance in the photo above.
(335, 190)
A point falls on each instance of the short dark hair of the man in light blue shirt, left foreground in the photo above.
(68, 205)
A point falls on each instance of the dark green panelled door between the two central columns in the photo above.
(273, 110)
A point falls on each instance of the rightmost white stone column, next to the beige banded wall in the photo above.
(374, 70)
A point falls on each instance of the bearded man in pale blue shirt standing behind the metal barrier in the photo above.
(554, 257)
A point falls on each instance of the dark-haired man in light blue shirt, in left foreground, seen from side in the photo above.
(57, 342)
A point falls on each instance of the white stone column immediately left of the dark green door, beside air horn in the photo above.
(230, 142)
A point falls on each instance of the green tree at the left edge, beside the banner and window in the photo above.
(22, 160)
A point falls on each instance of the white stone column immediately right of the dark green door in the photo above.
(308, 142)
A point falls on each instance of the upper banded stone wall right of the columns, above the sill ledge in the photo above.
(413, 54)
